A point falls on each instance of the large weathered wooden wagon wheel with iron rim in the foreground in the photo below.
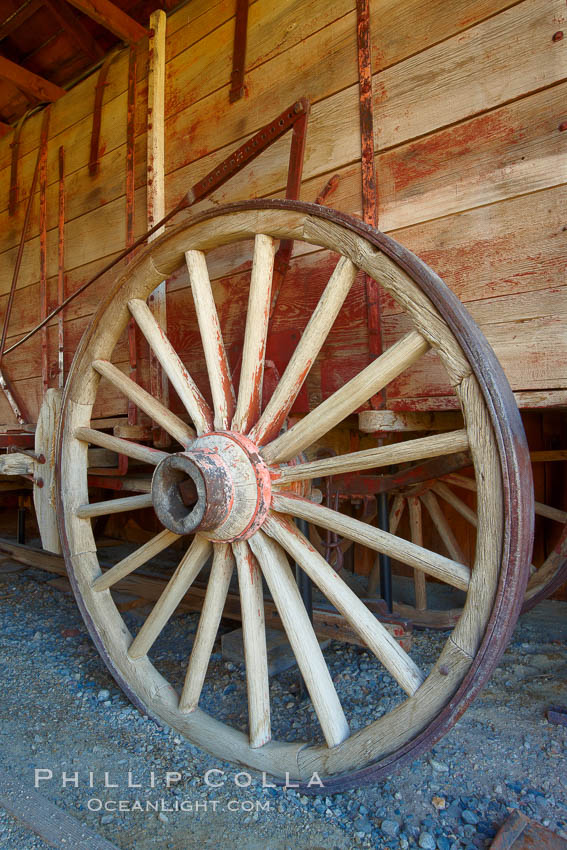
(245, 467)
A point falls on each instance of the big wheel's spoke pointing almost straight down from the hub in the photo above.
(255, 652)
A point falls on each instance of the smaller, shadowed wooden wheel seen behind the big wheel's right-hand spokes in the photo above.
(428, 501)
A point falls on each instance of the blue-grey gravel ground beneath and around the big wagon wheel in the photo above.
(61, 711)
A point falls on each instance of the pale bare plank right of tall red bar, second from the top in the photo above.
(431, 92)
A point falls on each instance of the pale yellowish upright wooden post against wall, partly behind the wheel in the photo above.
(159, 387)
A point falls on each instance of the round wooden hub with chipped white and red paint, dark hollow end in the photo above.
(220, 488)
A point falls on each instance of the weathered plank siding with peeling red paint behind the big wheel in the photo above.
(469, 101)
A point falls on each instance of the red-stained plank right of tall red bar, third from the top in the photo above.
(506, 152)
